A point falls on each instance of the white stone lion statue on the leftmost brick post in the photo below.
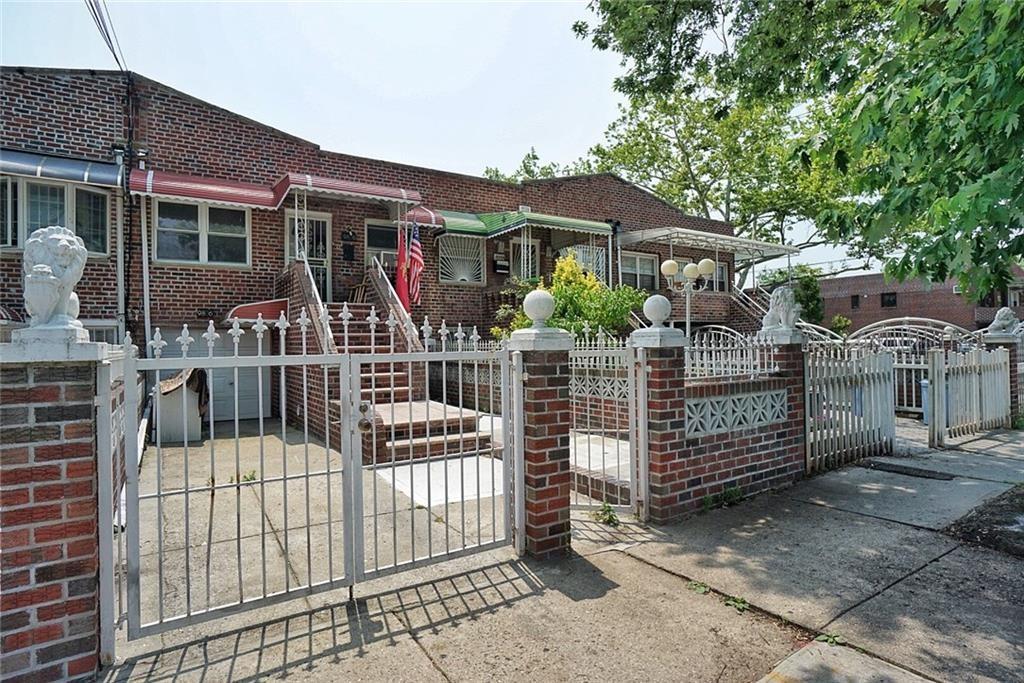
(54, 262)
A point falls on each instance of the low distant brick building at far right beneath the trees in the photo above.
(870, 298)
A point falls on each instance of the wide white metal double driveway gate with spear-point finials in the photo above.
(366, 469)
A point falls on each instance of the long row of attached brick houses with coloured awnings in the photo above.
(217, 194)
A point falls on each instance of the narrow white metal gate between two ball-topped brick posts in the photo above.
(609, 435)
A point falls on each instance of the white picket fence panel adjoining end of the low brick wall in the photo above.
(850, 406)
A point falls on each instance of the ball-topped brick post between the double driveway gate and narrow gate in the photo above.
(546, 422)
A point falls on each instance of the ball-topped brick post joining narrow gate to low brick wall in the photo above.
(666, 413)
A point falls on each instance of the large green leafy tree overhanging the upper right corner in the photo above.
(924, 102)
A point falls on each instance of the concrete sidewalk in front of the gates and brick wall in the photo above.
(735, 594)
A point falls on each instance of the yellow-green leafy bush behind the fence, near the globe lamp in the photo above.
(581, 301)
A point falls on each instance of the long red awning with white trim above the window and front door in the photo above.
(159, 184)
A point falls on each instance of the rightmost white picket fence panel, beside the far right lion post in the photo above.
(968, 393)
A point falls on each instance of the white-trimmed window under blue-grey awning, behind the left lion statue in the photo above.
(27, 205)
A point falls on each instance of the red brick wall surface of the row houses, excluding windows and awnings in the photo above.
(84, 114)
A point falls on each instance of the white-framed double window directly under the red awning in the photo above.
(201, 234)
